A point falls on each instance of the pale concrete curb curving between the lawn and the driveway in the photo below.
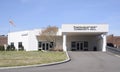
(41, 65)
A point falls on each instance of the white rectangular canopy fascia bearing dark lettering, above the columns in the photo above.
(85, 28)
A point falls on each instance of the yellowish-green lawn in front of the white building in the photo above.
(22, 58)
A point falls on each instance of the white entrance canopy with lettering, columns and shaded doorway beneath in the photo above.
(84, 37)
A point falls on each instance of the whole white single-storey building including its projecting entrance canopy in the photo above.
(75, 37)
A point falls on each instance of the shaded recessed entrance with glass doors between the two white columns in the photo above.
(84, 42)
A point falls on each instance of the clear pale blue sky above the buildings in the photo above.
(35, 14)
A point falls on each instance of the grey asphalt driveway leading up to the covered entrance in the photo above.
(81, 62)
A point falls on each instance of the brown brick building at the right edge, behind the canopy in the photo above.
(115, 40)
